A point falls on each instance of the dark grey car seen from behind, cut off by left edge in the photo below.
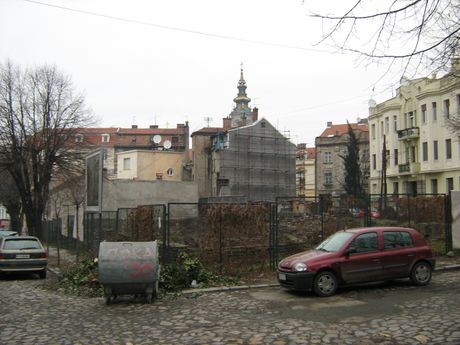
(23, 254)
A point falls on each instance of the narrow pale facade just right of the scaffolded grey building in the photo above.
(305, 171)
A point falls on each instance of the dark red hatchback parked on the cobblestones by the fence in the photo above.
(359, 256)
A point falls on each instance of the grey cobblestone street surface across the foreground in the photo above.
(392, 313)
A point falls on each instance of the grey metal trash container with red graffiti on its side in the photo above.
(129, 268)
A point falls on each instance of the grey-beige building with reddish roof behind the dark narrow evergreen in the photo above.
(330, 146)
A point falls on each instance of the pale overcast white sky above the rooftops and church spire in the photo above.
(167, 62)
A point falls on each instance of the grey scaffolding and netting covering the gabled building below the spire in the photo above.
(257, 162)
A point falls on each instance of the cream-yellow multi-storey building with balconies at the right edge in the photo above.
(410, 142)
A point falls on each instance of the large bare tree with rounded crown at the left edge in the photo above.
(39, 114)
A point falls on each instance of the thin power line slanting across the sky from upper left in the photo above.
(172, 28)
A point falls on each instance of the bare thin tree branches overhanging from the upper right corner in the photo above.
(418, 33)
